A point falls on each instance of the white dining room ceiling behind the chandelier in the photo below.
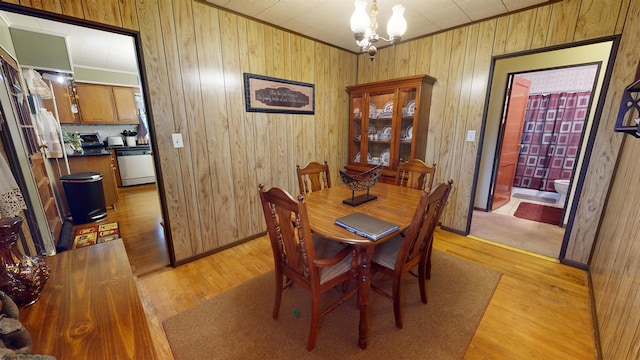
(328, 20)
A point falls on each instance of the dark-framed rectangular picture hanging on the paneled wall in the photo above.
(273, 95)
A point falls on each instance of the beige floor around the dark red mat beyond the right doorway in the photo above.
(501, 227)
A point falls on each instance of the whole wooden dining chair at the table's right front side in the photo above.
(401, 254)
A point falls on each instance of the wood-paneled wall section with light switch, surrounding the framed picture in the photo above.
(196, 55)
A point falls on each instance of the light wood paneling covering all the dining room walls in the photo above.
(194, 58)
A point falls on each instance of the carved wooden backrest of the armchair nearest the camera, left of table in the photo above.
(289, 232)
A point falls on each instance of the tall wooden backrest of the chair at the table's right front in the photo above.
(419, 236)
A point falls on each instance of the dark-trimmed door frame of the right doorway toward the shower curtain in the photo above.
(550, 57)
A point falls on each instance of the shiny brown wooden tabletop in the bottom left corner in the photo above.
(90, 307)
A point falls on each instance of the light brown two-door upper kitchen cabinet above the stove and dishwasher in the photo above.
(106, 104)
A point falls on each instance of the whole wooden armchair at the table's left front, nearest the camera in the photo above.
(314, 263)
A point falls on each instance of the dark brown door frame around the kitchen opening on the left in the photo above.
(137, 41)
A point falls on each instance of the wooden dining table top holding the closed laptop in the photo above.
(394, 204)
